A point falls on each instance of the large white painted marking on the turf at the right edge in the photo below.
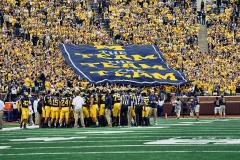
(194, 141)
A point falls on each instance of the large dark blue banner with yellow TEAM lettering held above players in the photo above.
(136, 64)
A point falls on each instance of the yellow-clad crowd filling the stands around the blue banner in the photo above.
(30, 31)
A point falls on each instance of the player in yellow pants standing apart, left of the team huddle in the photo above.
(25, 104)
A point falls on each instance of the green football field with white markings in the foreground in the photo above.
(206, 139)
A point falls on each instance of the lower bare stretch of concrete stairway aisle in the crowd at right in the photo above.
(202, 39)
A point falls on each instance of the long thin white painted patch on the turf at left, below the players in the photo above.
(46, 139)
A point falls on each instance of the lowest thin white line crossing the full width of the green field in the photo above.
(115, 152)
